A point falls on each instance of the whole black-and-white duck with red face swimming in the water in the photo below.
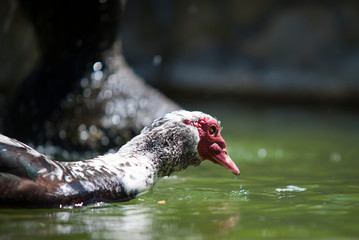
(29, 179)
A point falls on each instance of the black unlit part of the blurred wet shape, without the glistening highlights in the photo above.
(70, 39)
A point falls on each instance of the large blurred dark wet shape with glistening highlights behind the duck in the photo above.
(81, 95)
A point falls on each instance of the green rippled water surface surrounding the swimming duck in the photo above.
(299, 179)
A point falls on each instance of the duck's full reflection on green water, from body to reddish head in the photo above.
(118, 222)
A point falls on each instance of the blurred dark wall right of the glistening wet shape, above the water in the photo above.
(276, 51)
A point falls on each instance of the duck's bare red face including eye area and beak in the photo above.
(211, 145)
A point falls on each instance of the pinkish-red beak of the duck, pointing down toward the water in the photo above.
(220, 156)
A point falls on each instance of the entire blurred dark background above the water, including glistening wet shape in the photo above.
(73, 73)
